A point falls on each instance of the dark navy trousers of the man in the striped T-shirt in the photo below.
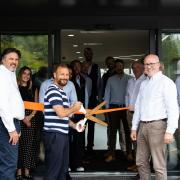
(56, 155)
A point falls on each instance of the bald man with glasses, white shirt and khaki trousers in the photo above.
(156, 119)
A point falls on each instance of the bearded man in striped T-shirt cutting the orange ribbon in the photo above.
(56, 125)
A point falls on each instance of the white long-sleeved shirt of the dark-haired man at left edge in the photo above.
(11, 103)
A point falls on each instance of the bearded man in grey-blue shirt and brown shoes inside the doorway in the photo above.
(115, 92)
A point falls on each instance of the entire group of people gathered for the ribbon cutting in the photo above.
(150, 121)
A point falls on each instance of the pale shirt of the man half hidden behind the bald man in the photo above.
(133, 90)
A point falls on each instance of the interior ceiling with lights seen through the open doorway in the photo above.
(124, 44)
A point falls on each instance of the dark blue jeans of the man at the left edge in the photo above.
(8, 153)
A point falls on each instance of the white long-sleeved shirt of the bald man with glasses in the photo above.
(157, 99)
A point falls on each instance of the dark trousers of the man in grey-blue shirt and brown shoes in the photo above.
(114, 125)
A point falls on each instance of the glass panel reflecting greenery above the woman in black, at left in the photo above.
(34, 49)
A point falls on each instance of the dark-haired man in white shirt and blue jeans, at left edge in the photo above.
(11, 111)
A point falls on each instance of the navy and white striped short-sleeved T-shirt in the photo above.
(53, 123)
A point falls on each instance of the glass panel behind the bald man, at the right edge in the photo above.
(171, 59)
